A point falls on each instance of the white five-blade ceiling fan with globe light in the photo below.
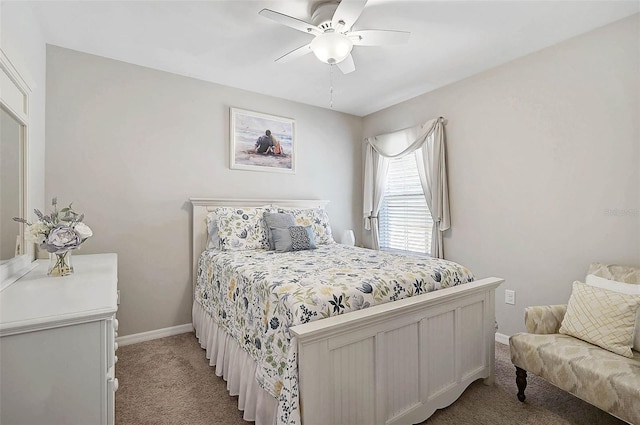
(332, 23)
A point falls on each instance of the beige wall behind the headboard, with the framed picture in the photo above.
(129, 146)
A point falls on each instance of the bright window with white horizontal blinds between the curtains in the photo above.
(405, 223)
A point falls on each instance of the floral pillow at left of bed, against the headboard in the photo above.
(241, 229)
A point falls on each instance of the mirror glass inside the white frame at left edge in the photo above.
(11, 235)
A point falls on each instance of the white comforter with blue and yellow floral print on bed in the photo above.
(257, 295)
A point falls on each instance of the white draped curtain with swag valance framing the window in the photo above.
(427, 141)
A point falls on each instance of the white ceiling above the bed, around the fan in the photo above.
(227, 42)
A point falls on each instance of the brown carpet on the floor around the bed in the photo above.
(169, 381)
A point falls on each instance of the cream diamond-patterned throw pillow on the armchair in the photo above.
(601, 317)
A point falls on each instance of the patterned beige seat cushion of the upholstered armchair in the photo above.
(600, 377)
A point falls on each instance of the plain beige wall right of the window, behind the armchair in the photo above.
(543, 164)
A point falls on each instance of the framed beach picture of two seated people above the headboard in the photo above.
(261, 142)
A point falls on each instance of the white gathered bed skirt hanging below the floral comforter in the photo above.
(236, 367)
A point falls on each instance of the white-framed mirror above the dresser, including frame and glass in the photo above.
(16, 256)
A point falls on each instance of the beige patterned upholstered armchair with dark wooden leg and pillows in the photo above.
(598, 363)
